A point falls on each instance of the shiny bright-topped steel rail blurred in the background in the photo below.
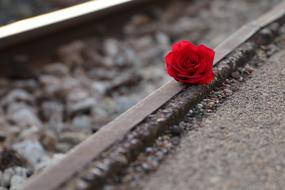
(44, 24)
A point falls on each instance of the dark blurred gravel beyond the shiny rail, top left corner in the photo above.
(13, 10)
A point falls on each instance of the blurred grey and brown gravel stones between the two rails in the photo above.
(92, 81)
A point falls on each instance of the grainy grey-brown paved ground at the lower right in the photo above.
(241, 146)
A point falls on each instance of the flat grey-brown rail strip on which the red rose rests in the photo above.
(114, 131)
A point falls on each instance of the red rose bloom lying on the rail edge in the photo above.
(191, 64)
